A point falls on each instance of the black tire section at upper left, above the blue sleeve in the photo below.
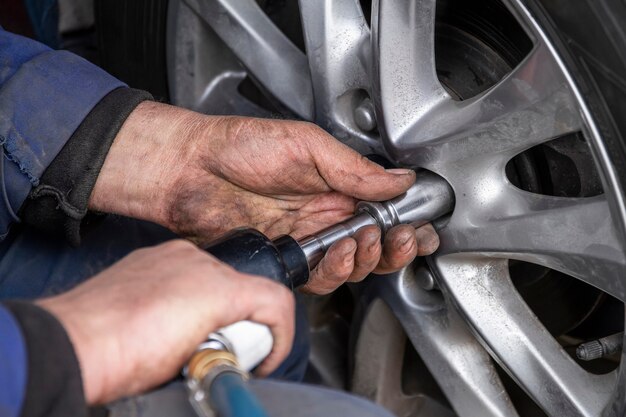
(131, 42)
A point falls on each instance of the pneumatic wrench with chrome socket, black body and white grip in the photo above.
(289, 262)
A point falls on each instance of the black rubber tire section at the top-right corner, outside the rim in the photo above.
(591, 38)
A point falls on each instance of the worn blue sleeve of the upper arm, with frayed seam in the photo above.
(44, 96)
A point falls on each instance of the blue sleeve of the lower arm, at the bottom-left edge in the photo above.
(13, 366)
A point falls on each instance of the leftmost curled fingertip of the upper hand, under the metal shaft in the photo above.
(334, 269)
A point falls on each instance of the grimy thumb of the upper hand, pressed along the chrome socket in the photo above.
(350, 173)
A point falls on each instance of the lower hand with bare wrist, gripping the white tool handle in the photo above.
(134, 325)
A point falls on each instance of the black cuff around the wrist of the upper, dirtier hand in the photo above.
(59, 204)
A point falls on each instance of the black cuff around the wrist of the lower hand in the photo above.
(54, 387)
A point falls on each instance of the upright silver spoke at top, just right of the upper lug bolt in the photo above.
(405, 79)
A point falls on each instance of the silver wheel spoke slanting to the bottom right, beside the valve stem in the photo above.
(486, 296)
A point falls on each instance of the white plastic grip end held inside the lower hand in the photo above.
(250, 342)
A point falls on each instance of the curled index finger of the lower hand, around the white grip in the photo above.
(276, 309)
